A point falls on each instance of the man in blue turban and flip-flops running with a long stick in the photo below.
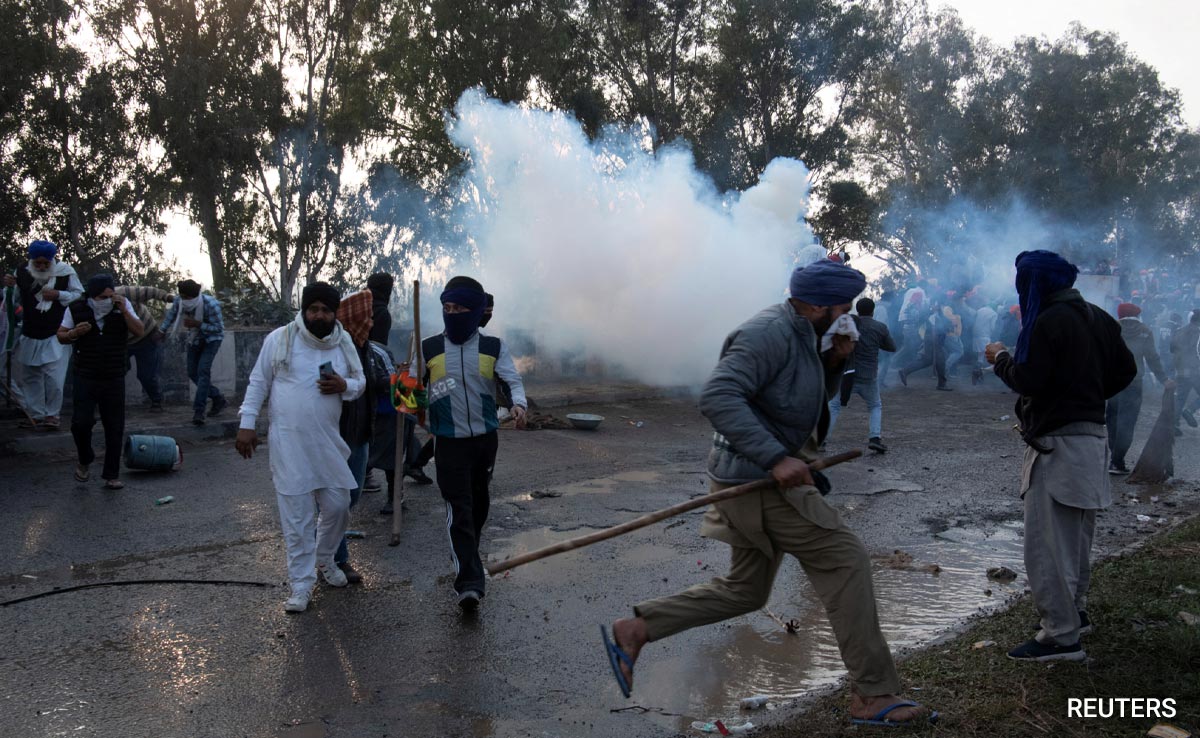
(767, 400)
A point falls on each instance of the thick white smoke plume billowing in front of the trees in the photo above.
(607, 251)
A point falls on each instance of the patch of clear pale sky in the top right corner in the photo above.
(1165, 34)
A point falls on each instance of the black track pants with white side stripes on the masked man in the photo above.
(465, 469)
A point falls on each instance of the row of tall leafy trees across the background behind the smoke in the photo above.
(302, 136)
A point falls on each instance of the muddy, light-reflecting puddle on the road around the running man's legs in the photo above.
(922, 596)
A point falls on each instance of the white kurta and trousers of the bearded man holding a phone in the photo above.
(308, 453)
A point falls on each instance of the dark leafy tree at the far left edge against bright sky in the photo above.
(86, 178)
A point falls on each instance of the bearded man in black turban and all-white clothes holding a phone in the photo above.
(310, 367)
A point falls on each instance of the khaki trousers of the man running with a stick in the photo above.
(837, 565)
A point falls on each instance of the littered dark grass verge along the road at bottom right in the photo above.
(1141, 649)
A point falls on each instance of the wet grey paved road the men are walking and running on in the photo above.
(394, 658)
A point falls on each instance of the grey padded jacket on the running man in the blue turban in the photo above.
(767, 397)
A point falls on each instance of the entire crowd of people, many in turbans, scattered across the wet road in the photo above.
(337, 410)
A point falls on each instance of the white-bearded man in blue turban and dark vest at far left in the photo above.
(40, 363)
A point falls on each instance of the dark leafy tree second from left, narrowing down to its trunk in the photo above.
(205, 94)
